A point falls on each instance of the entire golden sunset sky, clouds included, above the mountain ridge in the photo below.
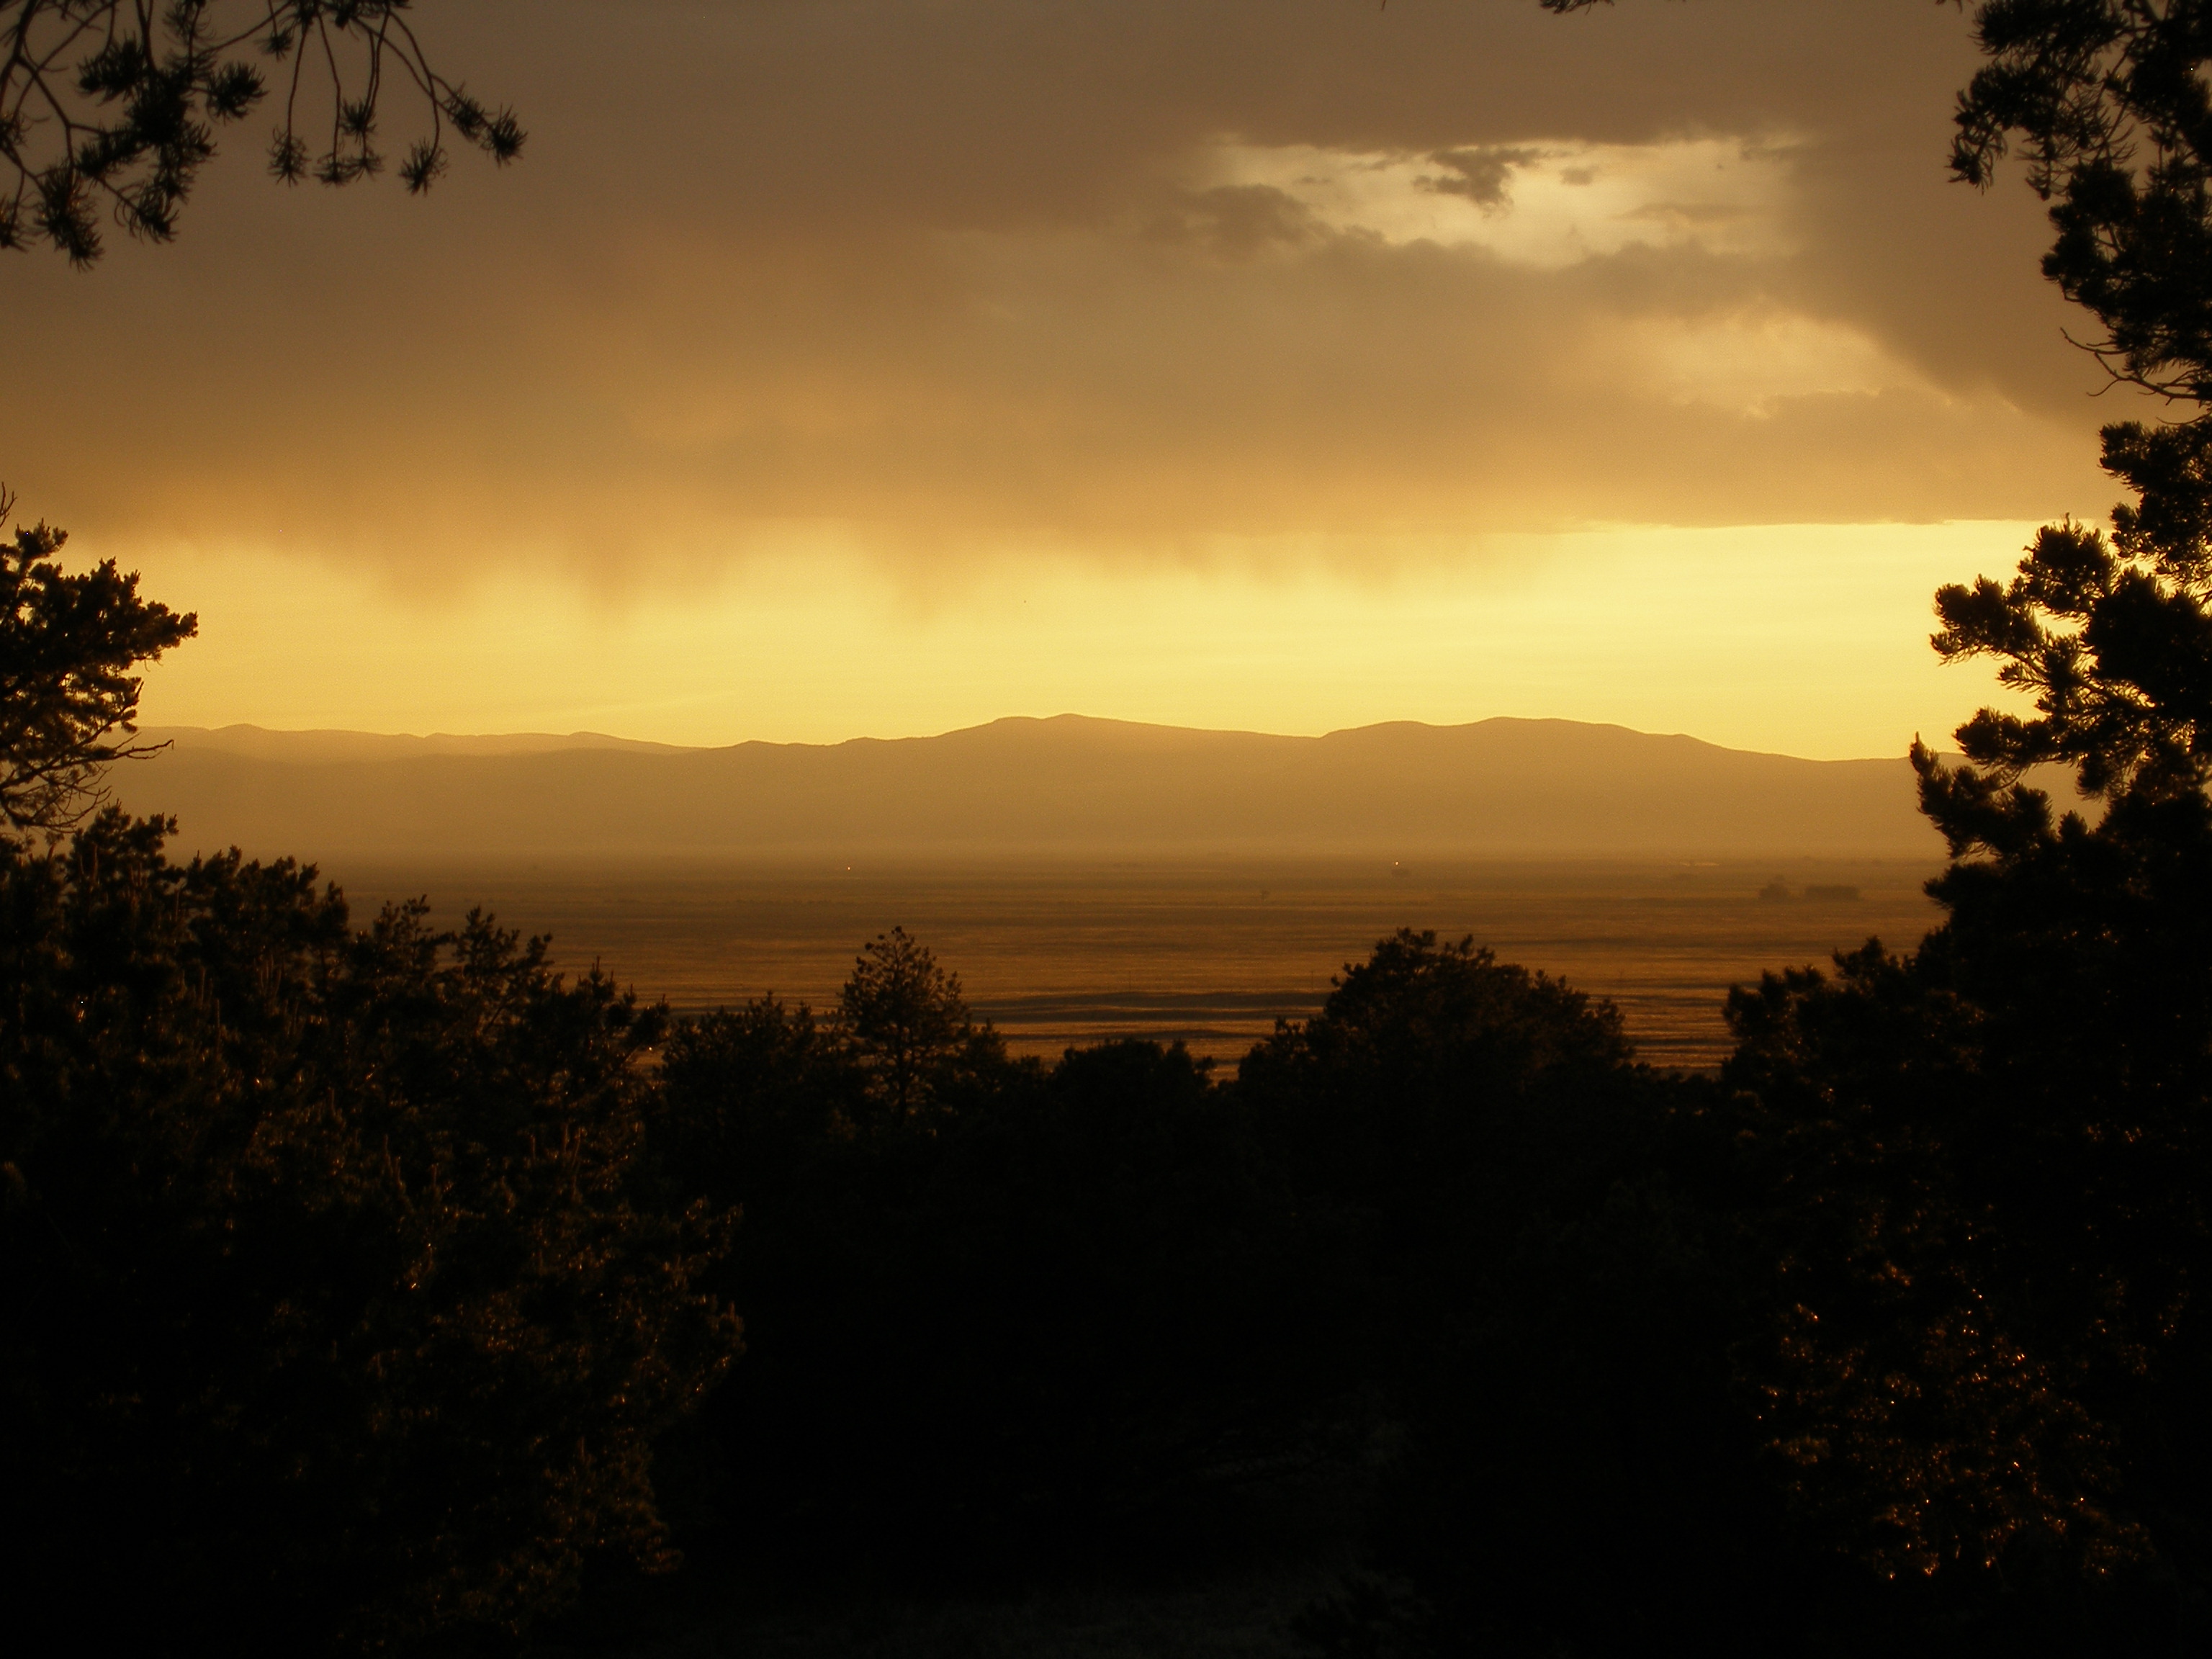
(877, 368)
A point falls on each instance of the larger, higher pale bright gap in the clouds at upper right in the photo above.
(1541, 205)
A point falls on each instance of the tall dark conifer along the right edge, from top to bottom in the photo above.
(1990, 1156)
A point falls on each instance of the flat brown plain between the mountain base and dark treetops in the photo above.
(1204, 952)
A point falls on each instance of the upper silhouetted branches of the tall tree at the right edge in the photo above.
(2109, 107)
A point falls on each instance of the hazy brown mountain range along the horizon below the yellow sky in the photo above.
(1025, 786)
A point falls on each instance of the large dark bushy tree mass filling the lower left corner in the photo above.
(331, 1304)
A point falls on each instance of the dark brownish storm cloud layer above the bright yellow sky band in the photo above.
(954, 275)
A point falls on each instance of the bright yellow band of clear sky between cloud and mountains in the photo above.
(1802, 640)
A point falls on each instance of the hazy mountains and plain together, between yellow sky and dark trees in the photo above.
(1096, 879)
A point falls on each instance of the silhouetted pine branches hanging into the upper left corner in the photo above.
(114, 105)
